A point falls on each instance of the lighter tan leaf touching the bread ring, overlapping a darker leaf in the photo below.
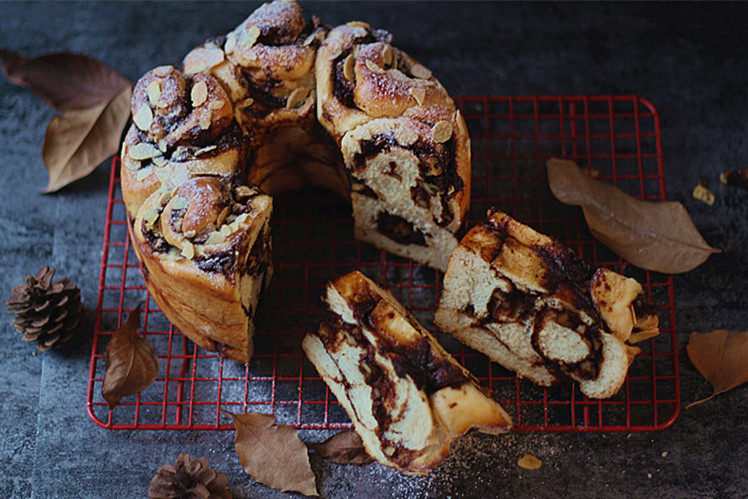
(78, 140)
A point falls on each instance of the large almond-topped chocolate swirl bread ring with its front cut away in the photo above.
(244, 112)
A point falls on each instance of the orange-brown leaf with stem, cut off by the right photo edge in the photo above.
(721, 356)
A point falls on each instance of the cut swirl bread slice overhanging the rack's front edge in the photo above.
(407, 397)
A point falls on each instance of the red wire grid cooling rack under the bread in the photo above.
(617, 138)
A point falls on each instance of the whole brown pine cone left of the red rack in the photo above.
(46, 312)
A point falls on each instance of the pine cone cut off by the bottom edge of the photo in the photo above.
(187, 478)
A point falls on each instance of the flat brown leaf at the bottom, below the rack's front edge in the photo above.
(273, 455)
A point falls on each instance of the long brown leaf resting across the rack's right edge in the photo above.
(653, 236)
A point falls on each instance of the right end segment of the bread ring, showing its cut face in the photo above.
(404, 143)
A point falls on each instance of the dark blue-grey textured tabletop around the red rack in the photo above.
(689, 60)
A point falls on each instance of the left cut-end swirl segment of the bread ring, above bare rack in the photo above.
(204, 251)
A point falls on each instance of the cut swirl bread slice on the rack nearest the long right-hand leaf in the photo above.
(532, 306)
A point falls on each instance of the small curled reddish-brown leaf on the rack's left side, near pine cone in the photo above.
(131, 362)
